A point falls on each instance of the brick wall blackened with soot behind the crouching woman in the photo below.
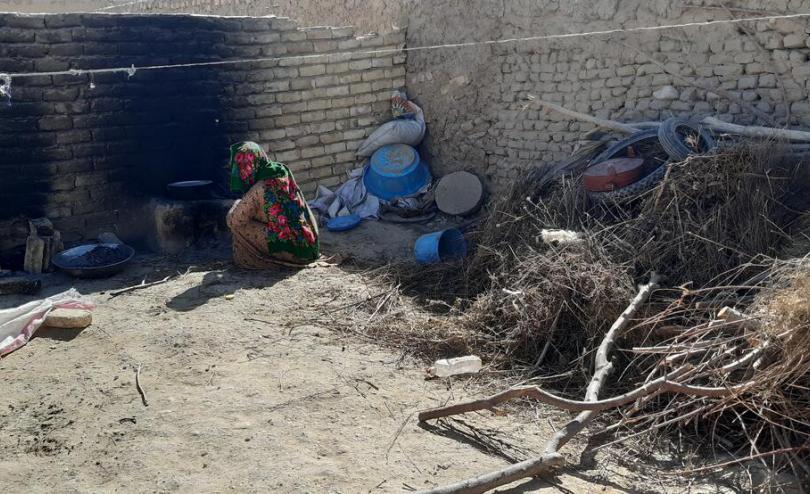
(86, 150)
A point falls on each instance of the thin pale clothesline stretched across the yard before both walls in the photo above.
(131, 70)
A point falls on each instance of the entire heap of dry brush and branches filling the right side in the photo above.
(722, 347)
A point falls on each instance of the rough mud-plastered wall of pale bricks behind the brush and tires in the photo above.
(475, 98)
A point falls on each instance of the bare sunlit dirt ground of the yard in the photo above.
(246, 394)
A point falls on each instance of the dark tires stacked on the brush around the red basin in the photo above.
(673, 141)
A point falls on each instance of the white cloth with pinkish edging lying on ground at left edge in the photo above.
(18, 324)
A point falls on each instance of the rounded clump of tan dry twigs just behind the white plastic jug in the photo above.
(544, 298)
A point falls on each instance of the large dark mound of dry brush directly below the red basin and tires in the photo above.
(713, 213)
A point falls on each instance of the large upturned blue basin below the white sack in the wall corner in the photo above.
(396, 171)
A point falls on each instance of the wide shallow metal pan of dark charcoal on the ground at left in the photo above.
(94, 260)
